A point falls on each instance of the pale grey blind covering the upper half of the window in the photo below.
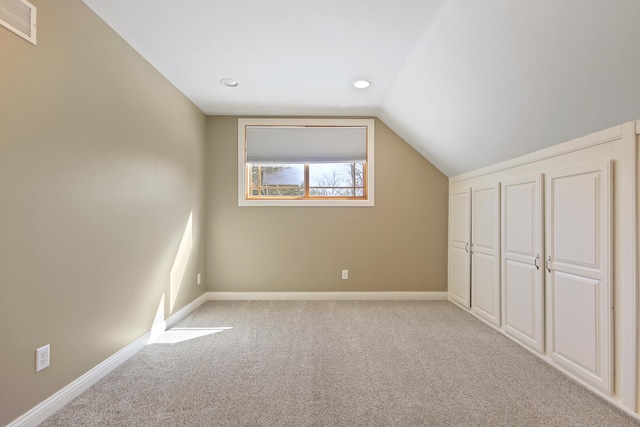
(286, 145)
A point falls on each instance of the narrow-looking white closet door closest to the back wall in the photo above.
(459, 274)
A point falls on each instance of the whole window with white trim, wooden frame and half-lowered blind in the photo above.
(305, 162)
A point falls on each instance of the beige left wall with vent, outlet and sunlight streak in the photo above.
(101, 164)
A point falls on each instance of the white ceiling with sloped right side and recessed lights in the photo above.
(467, 83)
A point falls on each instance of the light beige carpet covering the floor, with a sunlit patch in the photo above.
(336, 363)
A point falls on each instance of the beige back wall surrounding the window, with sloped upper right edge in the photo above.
(398, 245)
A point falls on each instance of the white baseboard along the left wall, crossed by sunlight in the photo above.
(47, 408)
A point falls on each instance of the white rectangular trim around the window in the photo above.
(369, 123)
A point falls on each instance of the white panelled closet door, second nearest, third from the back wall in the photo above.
(522, 261)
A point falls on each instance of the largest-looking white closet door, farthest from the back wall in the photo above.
(578, 248)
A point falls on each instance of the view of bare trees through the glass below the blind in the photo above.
(323, 180)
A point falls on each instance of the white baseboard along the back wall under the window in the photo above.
(327, 296)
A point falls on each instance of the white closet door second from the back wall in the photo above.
(485, 253)
